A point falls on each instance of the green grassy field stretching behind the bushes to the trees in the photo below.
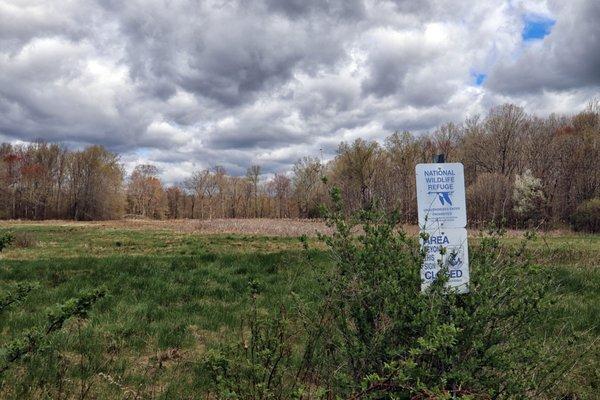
(172, 295)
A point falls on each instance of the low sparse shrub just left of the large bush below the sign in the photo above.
(264, 363)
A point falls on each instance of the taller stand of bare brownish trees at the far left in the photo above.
(42, 181)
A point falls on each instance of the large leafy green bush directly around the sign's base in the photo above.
(393, 340)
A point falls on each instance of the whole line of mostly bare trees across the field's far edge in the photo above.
(519, 168)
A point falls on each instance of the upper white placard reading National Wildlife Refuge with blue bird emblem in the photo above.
(441, 196)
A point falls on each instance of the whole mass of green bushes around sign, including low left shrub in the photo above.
(375, 335)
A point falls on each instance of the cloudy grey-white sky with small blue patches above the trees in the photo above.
(193, 84)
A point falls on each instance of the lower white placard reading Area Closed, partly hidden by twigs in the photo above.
(448, 249)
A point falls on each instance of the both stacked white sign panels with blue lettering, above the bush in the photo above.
(442, 218)
